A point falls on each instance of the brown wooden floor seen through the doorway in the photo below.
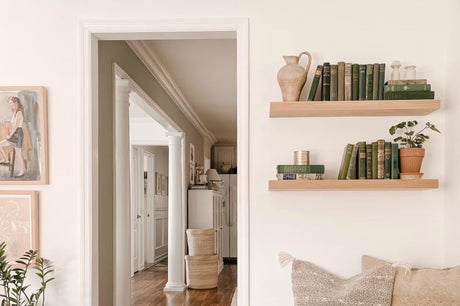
(147, 289)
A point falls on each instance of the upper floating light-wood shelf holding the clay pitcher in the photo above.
(353, 108)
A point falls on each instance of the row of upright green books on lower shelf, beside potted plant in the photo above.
(376, 160)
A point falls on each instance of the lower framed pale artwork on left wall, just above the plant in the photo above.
(19, 222)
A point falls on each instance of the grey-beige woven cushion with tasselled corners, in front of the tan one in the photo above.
(313, 285)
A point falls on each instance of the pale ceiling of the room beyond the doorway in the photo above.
(205, 72)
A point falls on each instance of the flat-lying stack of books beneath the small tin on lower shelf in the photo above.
(300, 172)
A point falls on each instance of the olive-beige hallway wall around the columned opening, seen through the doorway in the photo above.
(119, 52)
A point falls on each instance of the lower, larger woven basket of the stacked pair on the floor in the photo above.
(201, 271)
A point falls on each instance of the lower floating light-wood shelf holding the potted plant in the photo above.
(352, 184)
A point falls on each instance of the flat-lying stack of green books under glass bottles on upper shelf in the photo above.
(408, 90)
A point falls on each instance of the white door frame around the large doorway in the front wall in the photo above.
(91, 33)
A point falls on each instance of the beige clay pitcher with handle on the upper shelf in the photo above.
(292, 77)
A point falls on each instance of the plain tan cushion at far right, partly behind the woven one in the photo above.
(421, 287)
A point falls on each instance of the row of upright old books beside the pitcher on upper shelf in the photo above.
(346, 81)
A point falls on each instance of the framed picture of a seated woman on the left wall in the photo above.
(23, 135)
